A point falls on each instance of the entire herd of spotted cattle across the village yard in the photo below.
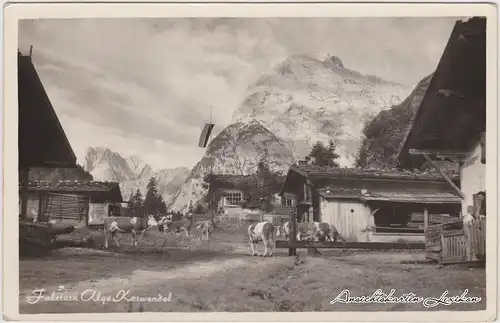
(264, 232)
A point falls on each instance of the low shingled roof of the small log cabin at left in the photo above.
(112, 189)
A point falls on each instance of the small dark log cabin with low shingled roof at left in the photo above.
(75, 202)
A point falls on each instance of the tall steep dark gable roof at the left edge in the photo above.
(42, 141)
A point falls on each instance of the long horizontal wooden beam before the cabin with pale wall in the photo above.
(351, 245)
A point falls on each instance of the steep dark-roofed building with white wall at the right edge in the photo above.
(450, 123)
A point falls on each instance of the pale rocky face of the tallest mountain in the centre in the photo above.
(304, 100)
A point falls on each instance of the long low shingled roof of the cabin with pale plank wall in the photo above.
(317, 172)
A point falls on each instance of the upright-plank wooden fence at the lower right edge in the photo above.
(447, 244)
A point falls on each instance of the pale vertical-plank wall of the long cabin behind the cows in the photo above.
(350, 217)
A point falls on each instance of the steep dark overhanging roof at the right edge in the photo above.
(453, 112)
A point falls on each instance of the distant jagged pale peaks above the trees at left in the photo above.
(132, 173)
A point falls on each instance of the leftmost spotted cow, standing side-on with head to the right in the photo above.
(122, 224)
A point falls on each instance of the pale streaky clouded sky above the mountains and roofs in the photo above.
(144, 86)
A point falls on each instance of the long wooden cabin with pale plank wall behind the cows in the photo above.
(371, 205)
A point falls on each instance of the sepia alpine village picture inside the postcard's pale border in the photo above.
(254, 164)
